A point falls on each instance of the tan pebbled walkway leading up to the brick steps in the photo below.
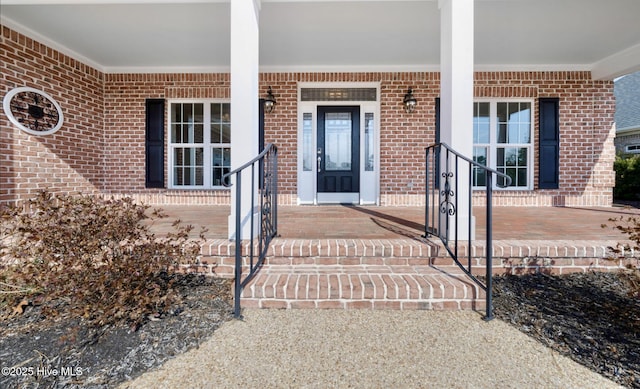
(369, 349)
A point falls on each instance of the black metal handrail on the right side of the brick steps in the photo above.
(442, 186)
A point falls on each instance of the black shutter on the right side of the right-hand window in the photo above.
(549, 156)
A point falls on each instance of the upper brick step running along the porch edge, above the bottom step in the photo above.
(510, 257)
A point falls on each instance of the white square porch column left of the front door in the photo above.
(244, 101)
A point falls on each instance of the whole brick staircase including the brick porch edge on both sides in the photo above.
(390, 273)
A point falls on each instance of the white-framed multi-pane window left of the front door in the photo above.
(199, 144)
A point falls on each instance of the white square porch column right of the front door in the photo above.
(456, 92)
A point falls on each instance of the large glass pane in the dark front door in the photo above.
(337, 141)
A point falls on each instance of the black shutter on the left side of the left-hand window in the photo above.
(154, 143)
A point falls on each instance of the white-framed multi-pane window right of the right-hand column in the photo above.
(502, 140)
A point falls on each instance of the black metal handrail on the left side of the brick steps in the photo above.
(267, 162)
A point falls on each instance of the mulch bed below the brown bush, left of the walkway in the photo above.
(67, 354)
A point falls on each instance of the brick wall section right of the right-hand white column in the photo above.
(587, 110)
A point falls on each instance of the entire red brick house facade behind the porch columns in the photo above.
(100, 147)
